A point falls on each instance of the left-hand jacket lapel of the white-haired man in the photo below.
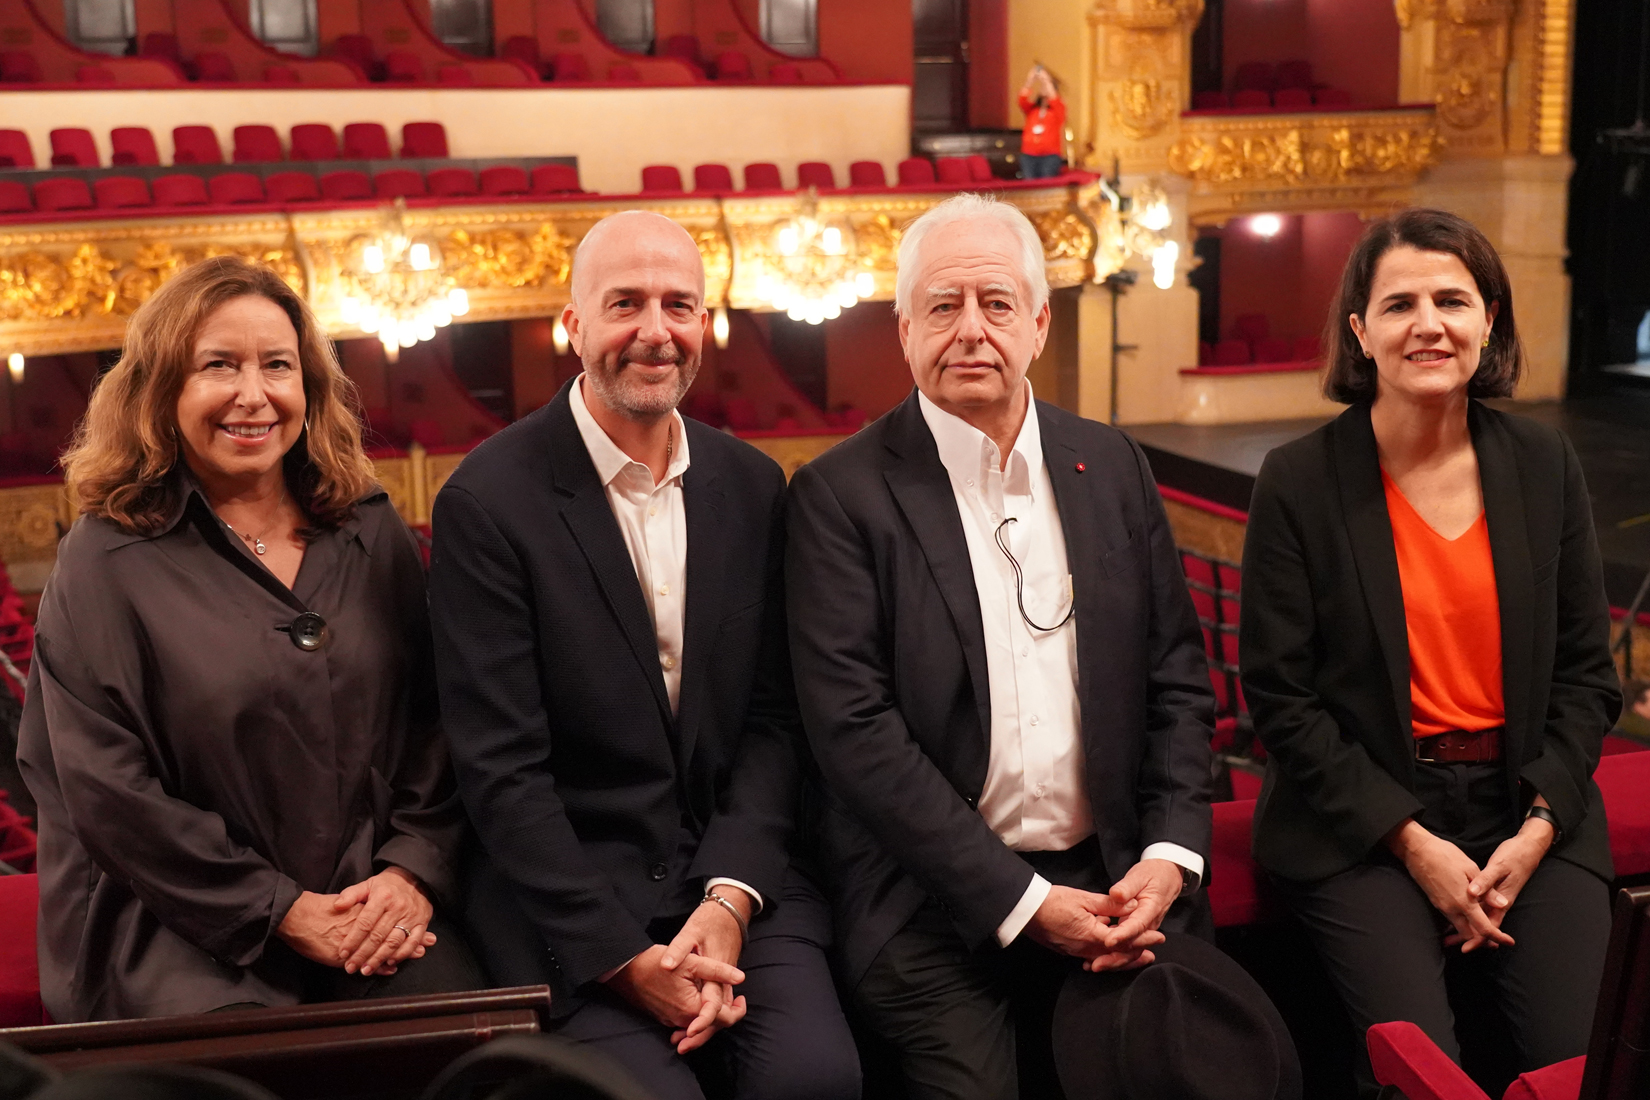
(923, 492)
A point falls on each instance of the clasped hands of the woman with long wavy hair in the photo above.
(370, 928)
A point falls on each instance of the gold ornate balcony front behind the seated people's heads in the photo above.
(72, 286)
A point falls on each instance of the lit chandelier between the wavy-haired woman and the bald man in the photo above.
(397, 286)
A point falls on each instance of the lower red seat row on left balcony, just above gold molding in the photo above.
(232, 189)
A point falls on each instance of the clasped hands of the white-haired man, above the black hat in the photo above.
(1113, 931)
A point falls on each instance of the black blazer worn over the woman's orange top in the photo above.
(1326, 654)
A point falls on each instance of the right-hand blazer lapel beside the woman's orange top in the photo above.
(1504, 512)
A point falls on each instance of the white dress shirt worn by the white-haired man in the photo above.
(1035, 794)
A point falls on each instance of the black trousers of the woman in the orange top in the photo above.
(1384, 943)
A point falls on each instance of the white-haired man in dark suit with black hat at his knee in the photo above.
(1004, 684)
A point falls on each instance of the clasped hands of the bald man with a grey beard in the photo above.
(687, 985)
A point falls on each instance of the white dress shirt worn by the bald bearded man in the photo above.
(654, 522)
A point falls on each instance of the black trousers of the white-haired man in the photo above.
(978, 1025)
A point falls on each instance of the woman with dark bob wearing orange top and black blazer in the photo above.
(1425, 652)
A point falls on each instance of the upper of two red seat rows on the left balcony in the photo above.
(253, 144)
